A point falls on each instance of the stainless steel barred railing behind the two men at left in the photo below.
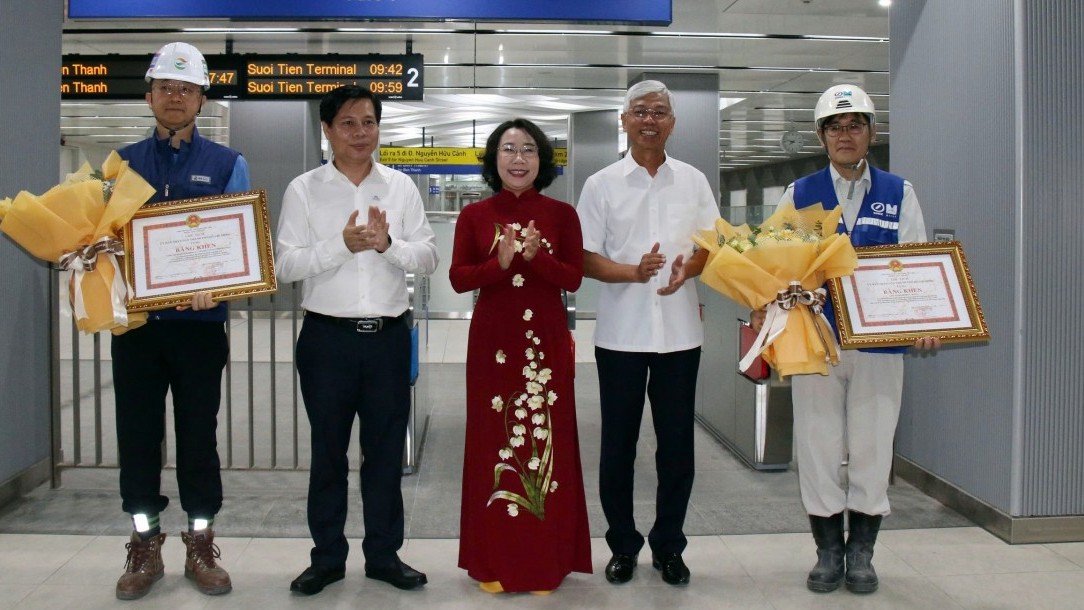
(262, 421)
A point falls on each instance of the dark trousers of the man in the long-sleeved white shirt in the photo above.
(345, 374)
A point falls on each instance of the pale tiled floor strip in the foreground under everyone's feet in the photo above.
(924, 569)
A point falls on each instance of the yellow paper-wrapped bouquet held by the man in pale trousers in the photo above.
(754, 271)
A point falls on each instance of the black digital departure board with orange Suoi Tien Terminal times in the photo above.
(252, 77)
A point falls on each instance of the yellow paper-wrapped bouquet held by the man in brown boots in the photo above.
(78, 225)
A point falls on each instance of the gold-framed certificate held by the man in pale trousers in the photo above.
(904, 292)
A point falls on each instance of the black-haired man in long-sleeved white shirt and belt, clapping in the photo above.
(351, 231)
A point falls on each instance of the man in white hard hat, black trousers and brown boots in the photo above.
(182, 351)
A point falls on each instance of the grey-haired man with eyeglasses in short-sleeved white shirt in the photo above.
(638, 217)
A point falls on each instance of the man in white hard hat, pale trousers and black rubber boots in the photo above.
(851, 413)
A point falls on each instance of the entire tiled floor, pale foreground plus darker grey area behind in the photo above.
(64, 549)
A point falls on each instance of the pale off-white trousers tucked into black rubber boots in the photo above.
(850, 414)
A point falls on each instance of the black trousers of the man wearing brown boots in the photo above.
(185, 358)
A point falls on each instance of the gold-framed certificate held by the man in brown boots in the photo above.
(220, 244)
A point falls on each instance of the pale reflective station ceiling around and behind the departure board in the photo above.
(773, 58)
